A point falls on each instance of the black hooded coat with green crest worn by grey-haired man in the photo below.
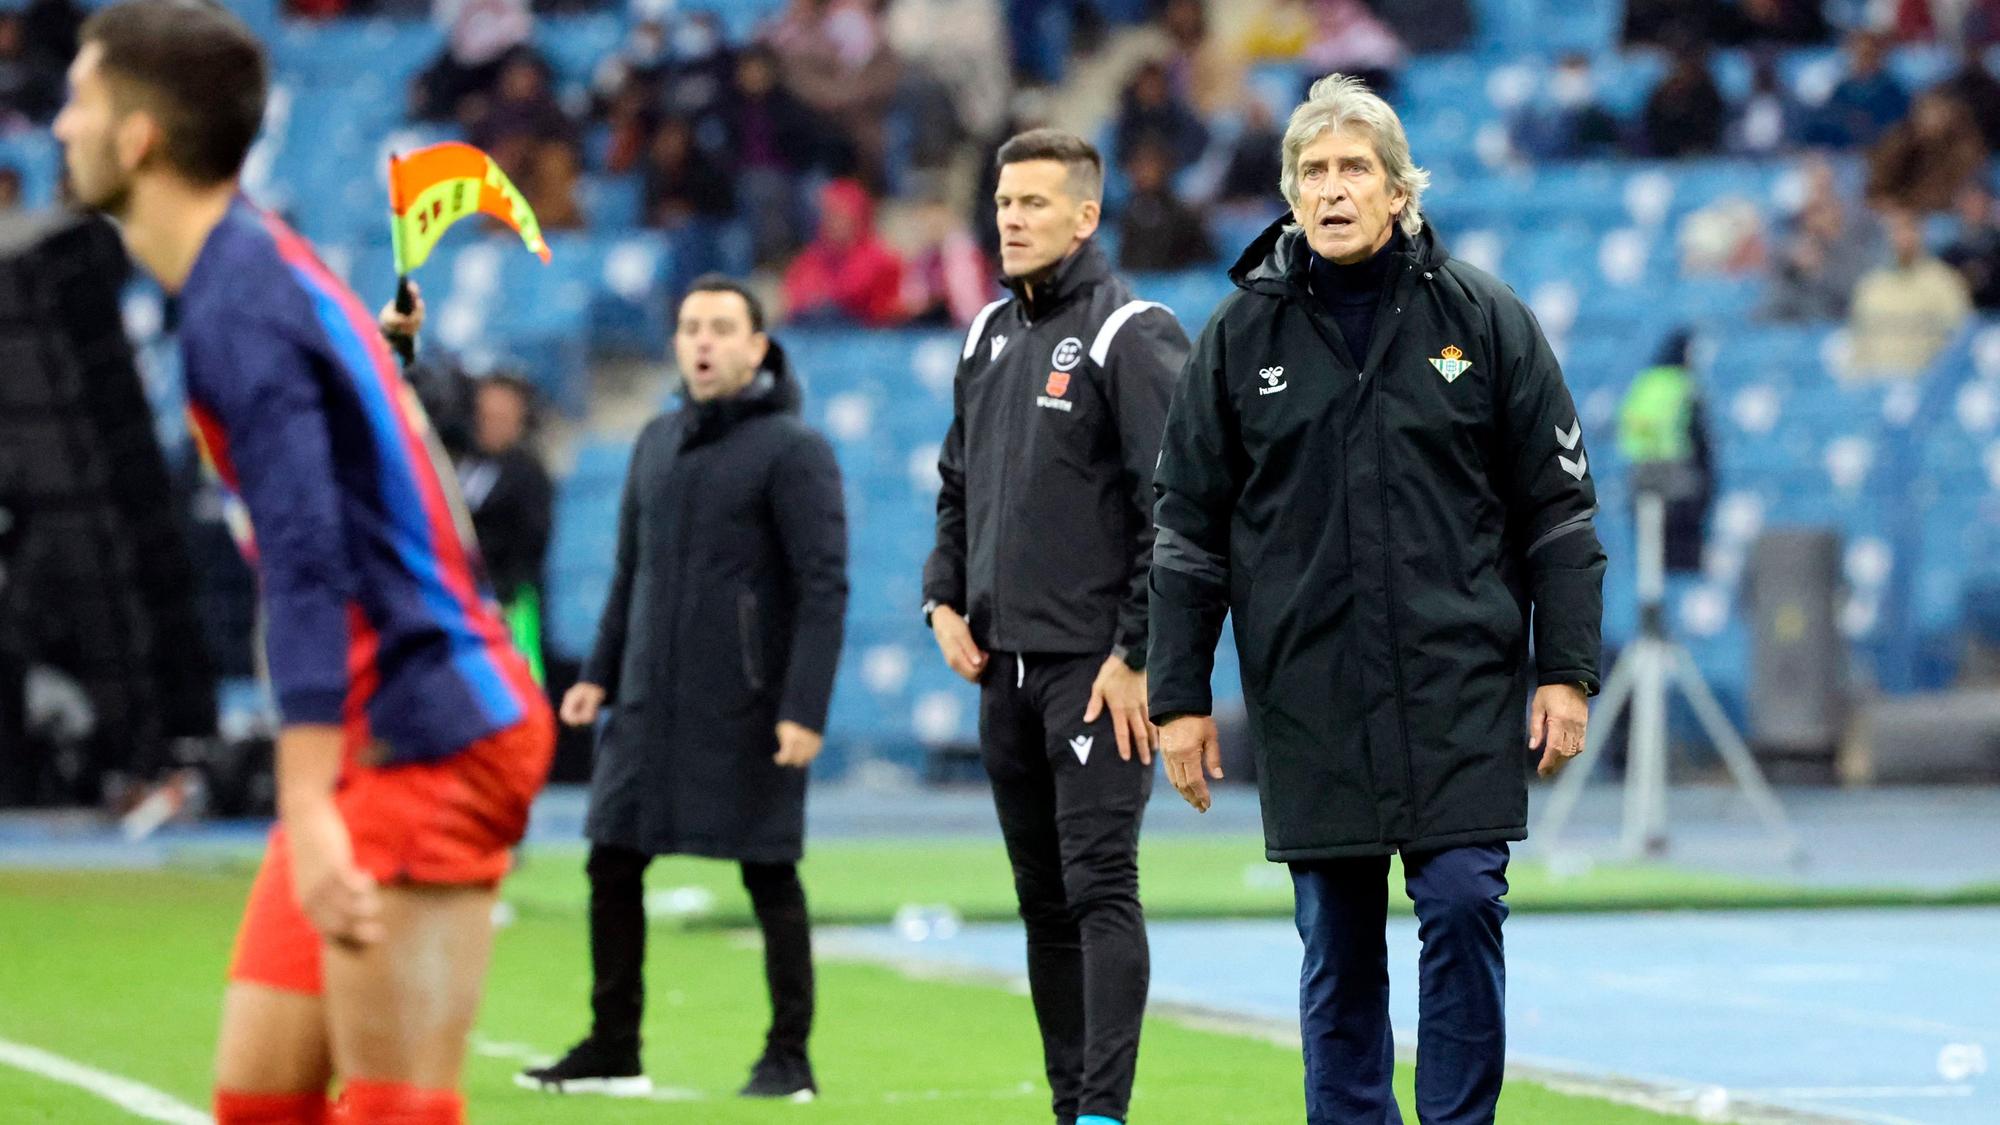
(1379, 533)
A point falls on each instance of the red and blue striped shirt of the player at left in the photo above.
(377, 614)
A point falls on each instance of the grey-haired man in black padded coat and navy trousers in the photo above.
(1375, 467)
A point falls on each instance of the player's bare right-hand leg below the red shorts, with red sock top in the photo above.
(401, 1010)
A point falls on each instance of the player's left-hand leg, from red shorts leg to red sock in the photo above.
(273, 1058)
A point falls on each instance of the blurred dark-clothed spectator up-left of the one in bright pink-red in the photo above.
(773, 139)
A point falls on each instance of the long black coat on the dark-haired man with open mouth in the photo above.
(725, 618)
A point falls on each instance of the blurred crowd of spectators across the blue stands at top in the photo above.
(849, 139)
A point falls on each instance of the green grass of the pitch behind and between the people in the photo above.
(123, 972)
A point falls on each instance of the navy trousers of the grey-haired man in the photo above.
(1343, 988)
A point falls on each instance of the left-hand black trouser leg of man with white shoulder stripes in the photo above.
(1025, 798)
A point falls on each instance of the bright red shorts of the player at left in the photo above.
(453, 822)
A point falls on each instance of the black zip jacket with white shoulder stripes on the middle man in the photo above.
(1045, 515)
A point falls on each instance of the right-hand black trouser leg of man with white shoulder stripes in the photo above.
(1101, 802)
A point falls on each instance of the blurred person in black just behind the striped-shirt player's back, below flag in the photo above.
(513, 505)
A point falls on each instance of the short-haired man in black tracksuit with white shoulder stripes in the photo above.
(1037, 592)
